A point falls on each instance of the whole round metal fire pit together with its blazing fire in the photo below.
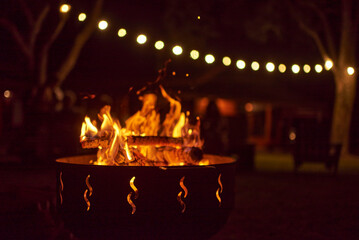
(149, 179)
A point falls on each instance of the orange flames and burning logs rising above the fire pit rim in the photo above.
(145, 141)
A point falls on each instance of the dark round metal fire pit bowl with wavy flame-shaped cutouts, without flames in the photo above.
(174, 202)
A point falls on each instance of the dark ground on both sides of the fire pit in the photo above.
(272, 202)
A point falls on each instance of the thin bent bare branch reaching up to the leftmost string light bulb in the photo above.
(43, 57)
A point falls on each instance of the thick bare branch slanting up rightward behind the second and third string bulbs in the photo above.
(80, 41)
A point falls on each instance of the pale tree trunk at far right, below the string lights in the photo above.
(343, 107)
